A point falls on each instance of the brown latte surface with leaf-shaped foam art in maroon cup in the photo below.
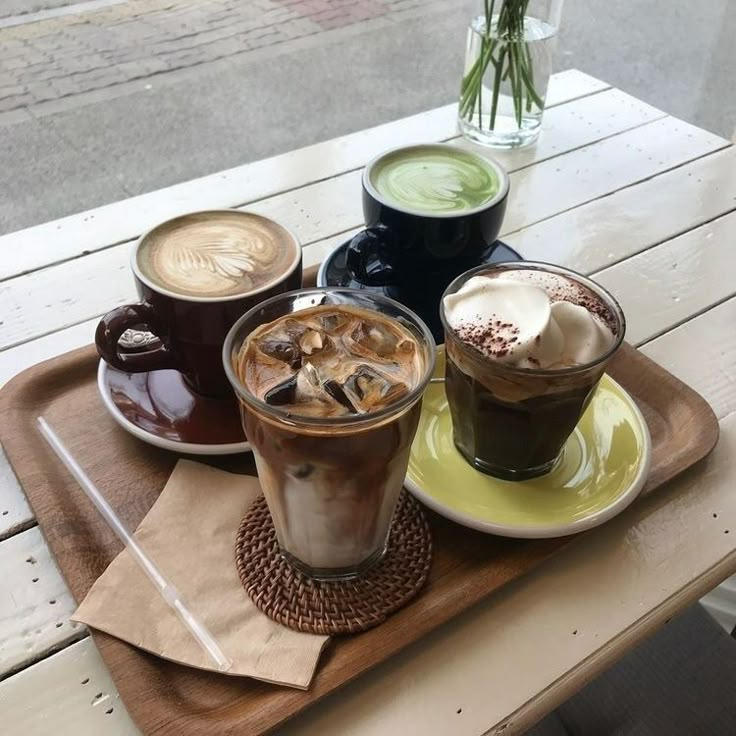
(200, 256)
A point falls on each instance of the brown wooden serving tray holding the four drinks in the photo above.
(166, 698)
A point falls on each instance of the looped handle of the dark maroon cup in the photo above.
(130, 358)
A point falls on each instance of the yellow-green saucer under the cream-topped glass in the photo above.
(603, 468)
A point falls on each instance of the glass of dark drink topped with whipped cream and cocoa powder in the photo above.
(526, 344)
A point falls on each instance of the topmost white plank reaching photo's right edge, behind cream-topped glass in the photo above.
(633, 219)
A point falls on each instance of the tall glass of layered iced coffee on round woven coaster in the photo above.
(330, 383)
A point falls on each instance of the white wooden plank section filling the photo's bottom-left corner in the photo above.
(68, 693)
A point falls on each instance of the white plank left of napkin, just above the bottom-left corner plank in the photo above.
(36, 604)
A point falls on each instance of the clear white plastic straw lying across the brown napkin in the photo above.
(168, 592)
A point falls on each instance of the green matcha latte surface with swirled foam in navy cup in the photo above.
(435, 180)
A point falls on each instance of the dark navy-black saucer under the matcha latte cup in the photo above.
(334, 272)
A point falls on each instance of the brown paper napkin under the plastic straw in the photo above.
(190, 534)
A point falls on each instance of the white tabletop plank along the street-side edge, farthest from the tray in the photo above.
(58, 240)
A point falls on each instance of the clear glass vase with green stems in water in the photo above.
(508, 61)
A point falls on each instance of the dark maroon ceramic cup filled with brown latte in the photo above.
(190, 329)
